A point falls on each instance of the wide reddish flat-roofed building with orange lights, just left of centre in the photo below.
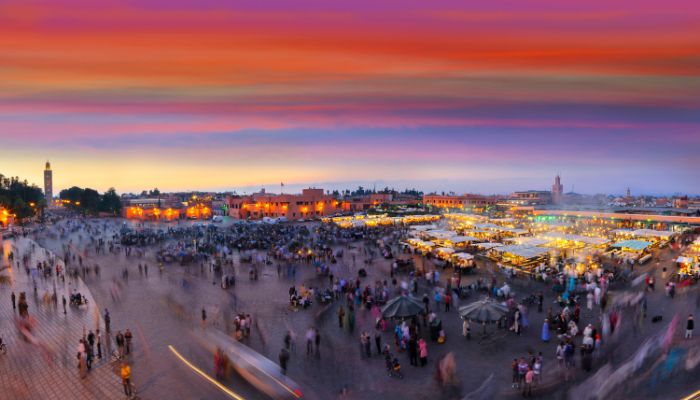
(311, 203)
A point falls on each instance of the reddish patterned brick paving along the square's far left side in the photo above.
(29, 372)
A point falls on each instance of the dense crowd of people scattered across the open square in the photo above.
(582, 315)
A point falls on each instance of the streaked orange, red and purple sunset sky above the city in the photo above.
(461, 96)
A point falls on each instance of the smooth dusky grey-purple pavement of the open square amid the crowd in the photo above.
(146, 307)
